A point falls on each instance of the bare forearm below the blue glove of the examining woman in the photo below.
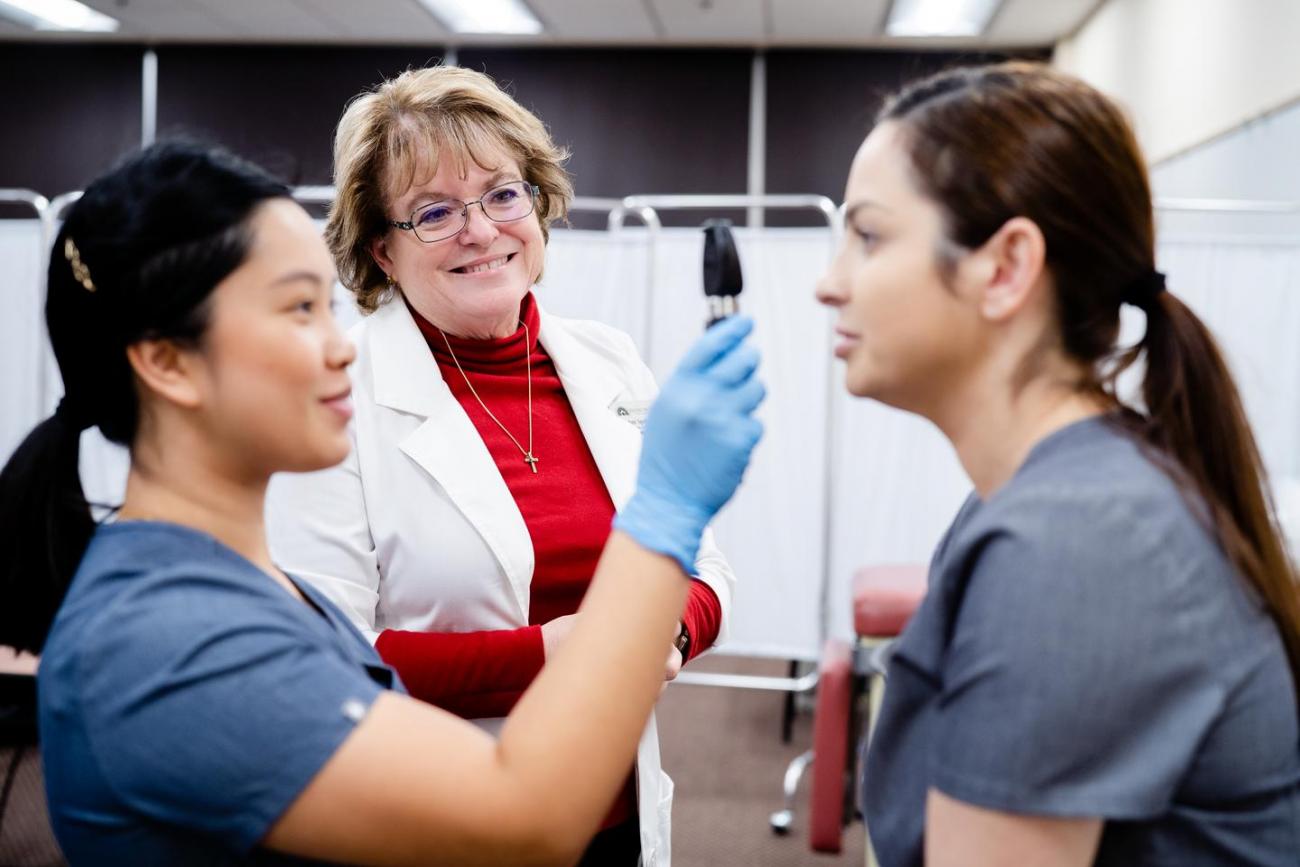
(590, 706)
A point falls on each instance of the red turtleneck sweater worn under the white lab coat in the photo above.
(567, 511)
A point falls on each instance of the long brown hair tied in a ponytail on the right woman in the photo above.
(1021, 140)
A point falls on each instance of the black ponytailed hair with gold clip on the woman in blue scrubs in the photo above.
(136, 259)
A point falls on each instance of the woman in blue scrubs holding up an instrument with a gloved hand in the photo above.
(201, 706)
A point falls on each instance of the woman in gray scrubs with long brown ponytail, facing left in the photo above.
(1103, 671)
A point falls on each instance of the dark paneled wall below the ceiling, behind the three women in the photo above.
(636, 120)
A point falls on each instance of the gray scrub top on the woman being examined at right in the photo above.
(1086, 649)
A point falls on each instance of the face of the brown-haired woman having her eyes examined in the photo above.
(905, 330)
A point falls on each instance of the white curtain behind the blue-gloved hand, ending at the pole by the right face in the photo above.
(773, 532)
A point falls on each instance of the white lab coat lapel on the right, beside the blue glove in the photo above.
(592, 392)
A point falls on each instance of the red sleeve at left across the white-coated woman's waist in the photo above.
(473, 675)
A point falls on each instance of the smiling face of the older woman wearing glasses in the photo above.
(473, 284)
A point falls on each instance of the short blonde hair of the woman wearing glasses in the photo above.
(401, 128)
